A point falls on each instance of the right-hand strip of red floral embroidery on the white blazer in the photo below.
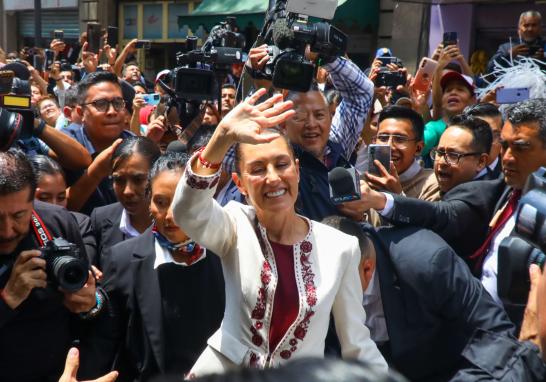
(311, 297)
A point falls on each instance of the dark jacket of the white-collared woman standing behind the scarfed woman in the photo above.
(105, 224)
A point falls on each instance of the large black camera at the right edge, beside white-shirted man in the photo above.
(517, 253)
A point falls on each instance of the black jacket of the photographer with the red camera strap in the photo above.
(35, 337)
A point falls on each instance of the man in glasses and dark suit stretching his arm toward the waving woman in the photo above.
(461, 218)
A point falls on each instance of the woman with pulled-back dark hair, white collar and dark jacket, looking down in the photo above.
(129, 217)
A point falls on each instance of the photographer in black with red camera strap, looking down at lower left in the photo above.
(38, 319)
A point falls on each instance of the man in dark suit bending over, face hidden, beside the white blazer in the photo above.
(422, 303)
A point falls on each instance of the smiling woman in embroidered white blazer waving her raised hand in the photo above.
(270, 316)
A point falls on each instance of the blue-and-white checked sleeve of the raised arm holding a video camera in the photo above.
(357, 93)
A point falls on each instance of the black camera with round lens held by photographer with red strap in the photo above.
(64, 265)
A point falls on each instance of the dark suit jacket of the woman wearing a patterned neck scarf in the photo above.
(132, 333)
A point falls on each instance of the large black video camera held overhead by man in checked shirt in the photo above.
(288, 31)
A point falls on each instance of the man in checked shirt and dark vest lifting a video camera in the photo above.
(322, 142)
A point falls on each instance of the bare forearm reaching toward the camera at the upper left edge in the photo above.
(66, 150)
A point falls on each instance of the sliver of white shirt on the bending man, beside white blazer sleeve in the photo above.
(375, 316)
